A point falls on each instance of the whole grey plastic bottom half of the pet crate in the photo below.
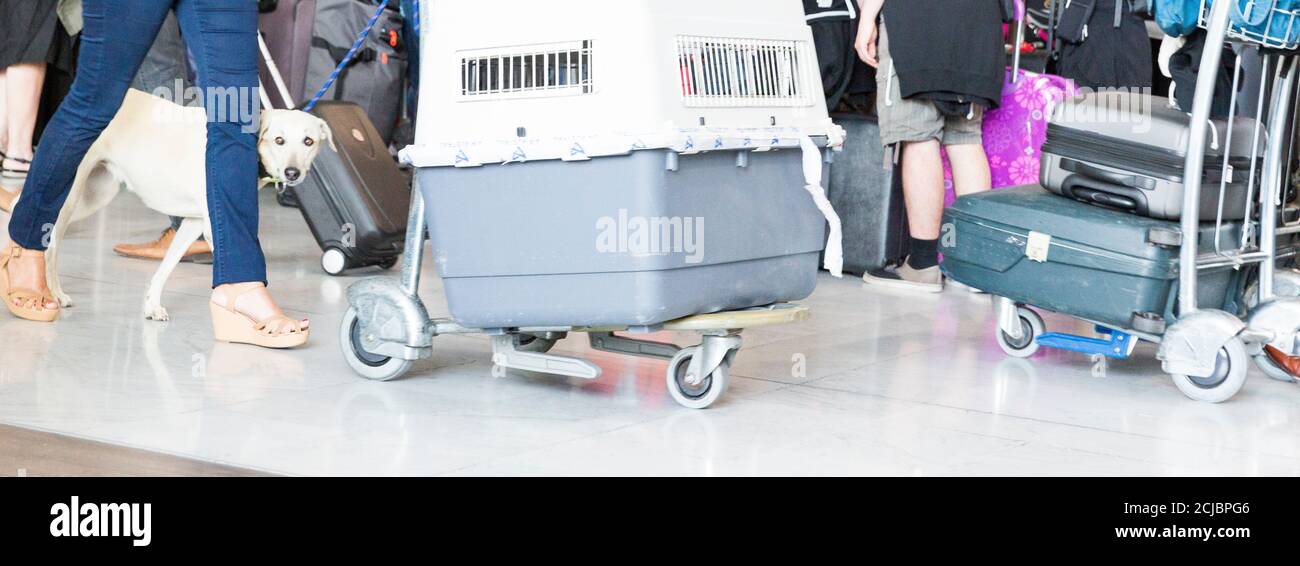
(622, 240)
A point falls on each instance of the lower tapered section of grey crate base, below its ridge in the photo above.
(630, 299)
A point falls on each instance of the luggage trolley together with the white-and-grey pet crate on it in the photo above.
(544, 150)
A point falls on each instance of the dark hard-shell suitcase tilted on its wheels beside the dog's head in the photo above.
(356, 200)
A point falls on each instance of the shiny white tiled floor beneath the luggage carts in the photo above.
(890, 384)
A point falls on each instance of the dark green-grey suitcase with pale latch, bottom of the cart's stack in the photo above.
(1104, 266)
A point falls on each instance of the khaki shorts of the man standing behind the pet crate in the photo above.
(904, 120)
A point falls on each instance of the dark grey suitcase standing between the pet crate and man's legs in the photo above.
(869, 198)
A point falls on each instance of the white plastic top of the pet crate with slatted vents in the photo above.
(509, 81)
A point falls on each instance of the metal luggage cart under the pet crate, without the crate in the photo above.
(388, 329)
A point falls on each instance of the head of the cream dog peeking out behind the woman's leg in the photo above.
(289, 142)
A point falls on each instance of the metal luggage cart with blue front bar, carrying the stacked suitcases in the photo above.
(1208, 352)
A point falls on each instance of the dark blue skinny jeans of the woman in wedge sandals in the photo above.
(223, 36)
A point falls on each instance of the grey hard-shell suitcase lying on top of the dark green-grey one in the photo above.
(1128, 152)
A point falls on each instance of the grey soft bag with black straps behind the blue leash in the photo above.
(375, 79)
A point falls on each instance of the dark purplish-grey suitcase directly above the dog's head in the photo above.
(288, 31)
